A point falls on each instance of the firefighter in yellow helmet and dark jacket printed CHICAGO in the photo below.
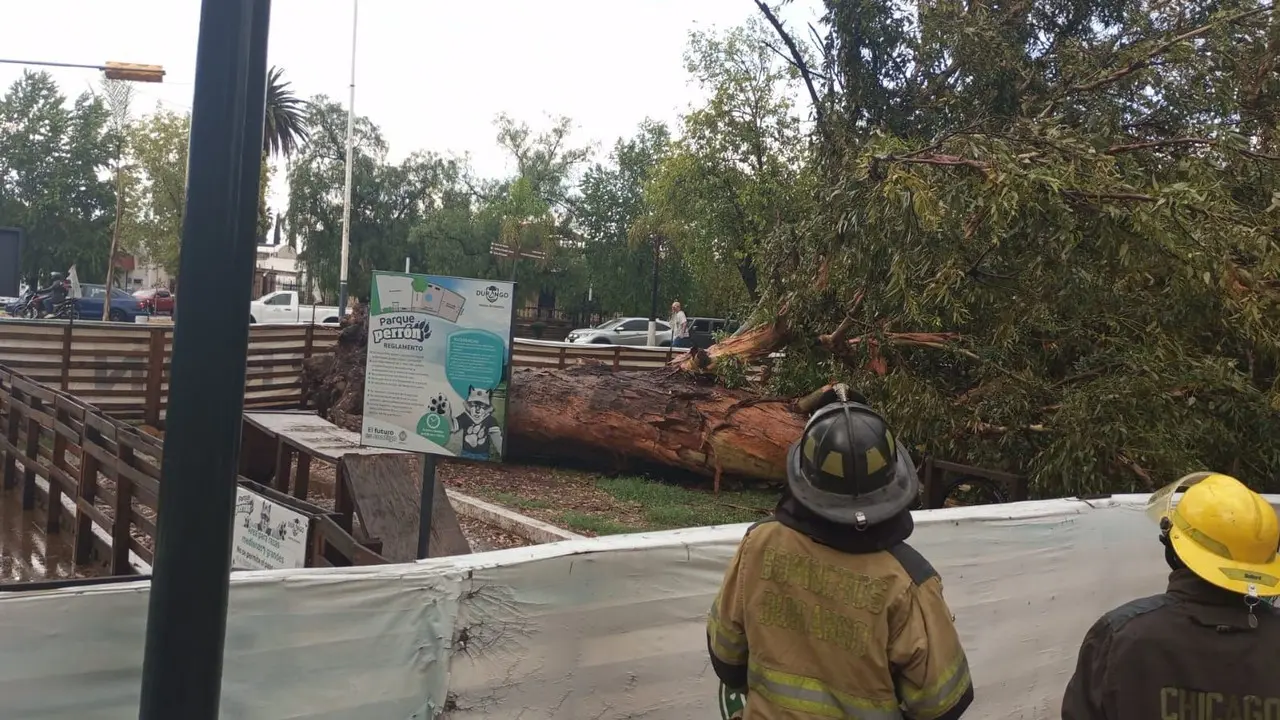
(1209, 646)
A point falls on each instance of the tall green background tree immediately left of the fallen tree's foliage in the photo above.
(735, 174)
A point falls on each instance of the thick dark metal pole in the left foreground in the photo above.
(182, 669)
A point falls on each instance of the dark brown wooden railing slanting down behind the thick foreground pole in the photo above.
(99, 479)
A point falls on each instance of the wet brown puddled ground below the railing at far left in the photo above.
(26, 554)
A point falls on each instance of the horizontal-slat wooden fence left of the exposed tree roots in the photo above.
(124, 370)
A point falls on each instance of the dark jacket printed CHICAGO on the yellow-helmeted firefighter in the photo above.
(1191, 654)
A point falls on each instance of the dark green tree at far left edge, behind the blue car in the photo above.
(53, 162)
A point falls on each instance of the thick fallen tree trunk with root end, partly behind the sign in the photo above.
(589, 416)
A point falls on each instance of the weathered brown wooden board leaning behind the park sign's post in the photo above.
(386, 493)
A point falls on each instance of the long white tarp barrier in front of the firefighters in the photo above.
(598, 630)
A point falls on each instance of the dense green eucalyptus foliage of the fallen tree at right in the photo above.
(1078, 200)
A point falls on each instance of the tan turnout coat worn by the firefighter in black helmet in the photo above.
(815, 632)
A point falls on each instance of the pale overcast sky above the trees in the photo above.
(432, 74)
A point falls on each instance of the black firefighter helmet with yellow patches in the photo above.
(849, 468)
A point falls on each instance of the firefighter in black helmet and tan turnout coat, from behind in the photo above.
(825, 610)
